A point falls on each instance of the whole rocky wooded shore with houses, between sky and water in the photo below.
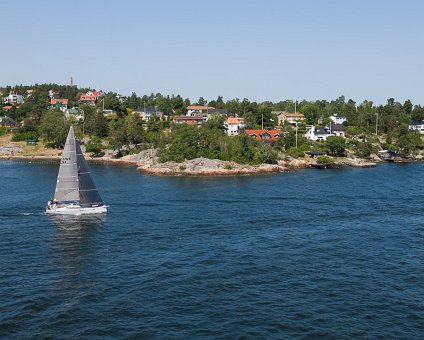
(171, 136)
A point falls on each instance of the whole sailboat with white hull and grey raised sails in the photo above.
(75, 192)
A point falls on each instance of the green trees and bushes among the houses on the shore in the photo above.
(363, 120)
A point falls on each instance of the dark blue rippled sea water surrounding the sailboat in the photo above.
(310, 254)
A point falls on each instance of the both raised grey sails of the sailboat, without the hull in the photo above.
(74, 182)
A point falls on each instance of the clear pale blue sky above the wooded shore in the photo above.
(260, 50)
